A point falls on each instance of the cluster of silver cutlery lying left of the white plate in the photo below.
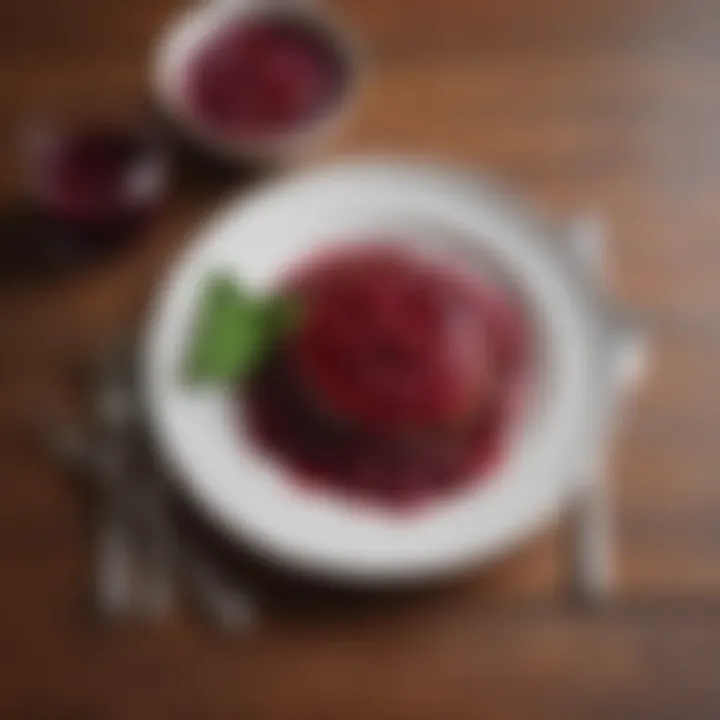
(136, 545)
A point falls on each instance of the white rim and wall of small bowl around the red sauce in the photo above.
(188, 32)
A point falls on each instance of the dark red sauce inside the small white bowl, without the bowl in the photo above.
(264, 76)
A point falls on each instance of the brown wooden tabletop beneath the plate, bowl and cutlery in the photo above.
(606, 105)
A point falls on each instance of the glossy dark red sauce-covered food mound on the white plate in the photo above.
(400, 383)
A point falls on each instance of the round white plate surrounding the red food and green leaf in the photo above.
(245, 494)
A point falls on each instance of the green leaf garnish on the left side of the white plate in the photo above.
(236, 331)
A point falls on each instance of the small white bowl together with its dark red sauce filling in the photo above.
(255, 80)
